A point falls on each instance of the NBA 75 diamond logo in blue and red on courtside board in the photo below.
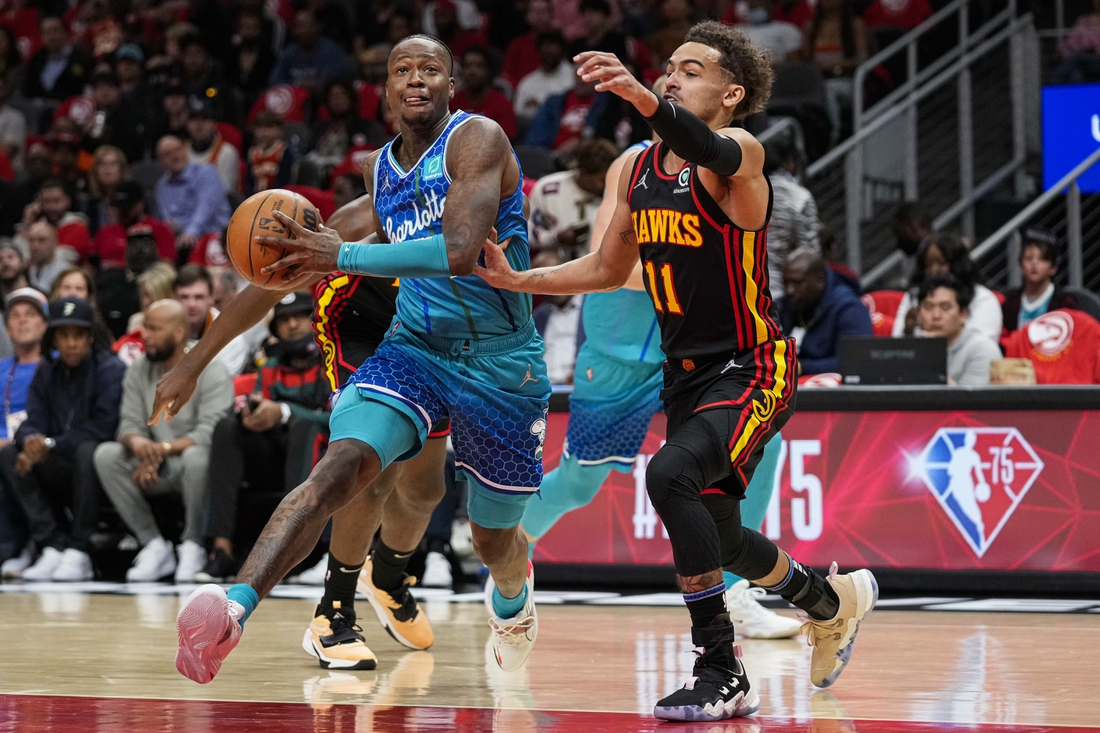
(980, 476)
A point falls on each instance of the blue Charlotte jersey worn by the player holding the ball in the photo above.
(410, 205)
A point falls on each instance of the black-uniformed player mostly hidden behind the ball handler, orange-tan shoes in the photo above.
(351, 316)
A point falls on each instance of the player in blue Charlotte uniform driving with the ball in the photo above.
(458, 349)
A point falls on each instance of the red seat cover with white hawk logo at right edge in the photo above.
(1064, 346)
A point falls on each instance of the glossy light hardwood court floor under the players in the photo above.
(911, 672)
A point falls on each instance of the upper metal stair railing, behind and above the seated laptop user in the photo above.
(843, 171)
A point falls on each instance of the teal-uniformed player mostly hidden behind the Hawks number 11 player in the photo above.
(617, 392)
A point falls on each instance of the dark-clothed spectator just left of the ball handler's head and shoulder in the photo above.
(344, 129)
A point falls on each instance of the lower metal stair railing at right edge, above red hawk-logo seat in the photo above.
(1073, 221)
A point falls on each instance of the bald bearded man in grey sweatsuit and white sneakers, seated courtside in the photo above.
(170, 457)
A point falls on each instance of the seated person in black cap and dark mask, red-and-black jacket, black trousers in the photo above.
(274, 439)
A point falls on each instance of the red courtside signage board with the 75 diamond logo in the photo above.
(937, 490)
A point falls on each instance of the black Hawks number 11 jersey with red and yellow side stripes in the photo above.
(708, 278)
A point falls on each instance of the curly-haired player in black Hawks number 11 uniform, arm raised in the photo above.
(696, 207)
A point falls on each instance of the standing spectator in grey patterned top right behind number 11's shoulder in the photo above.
(794, 212)
